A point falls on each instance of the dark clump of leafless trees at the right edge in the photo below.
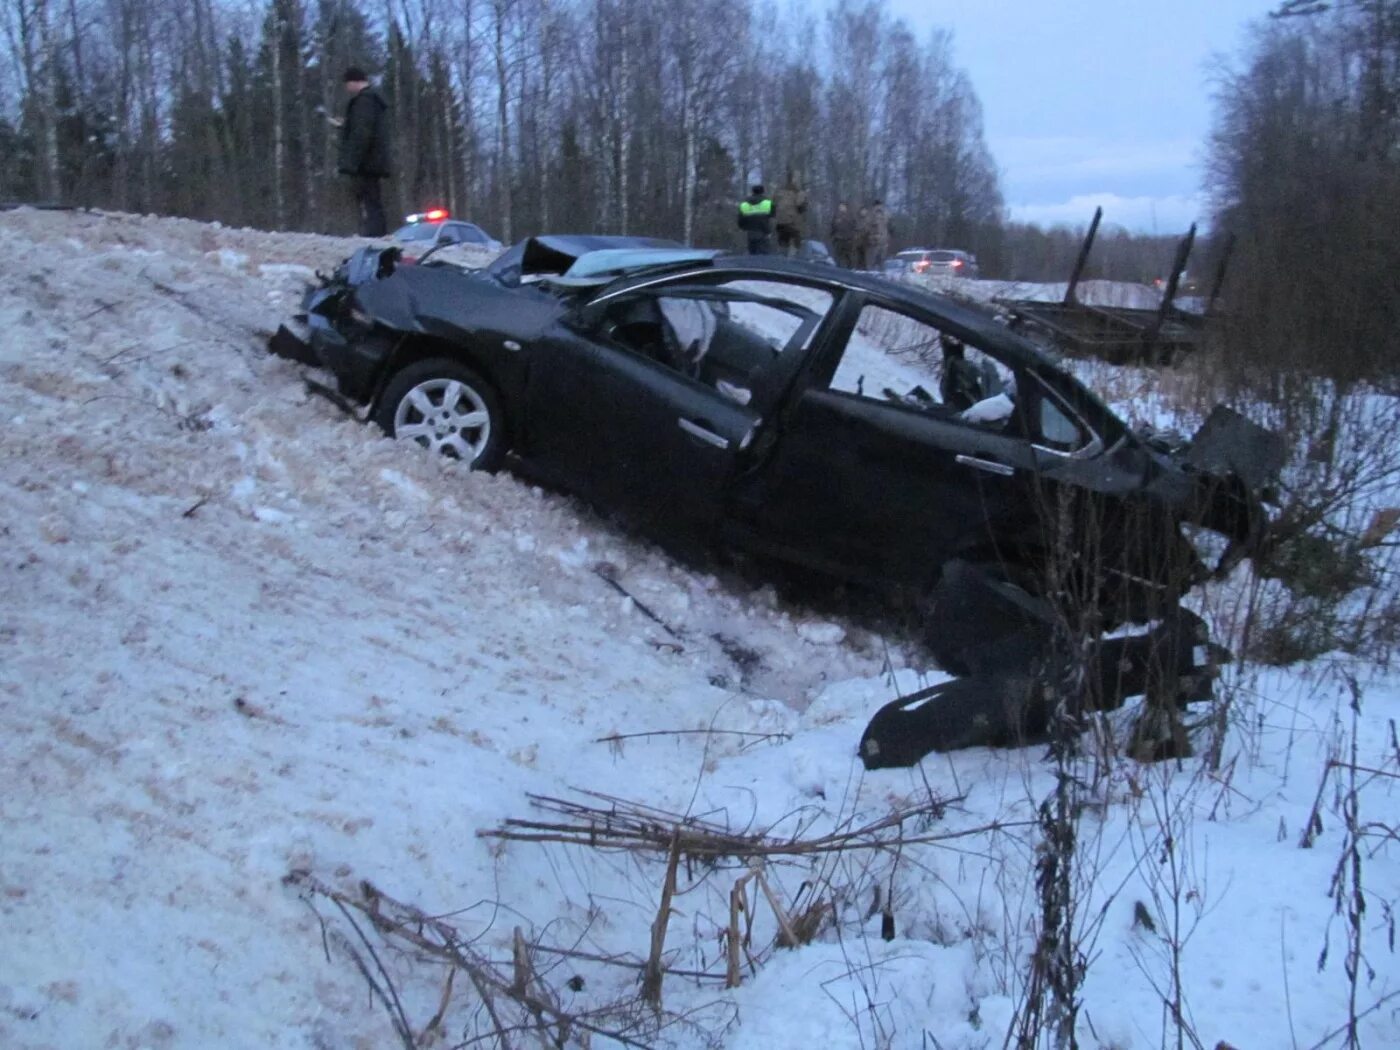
(1305, 169)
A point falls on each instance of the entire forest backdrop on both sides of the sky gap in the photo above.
(617, 115)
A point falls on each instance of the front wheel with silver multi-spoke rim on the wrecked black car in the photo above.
(449, 409)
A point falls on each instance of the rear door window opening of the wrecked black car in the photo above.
(901, 359)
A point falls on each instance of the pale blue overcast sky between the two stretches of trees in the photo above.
(1094, 101)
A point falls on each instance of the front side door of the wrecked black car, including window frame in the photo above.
(650, 397)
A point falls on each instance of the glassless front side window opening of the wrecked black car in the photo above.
(723, 335)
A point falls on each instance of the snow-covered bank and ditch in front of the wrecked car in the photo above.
(243, 635)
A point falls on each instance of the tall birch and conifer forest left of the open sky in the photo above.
(611, 115)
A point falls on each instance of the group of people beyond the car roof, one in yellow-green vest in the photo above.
(860, 240)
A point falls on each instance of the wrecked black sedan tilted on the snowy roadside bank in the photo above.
(874, 432)
